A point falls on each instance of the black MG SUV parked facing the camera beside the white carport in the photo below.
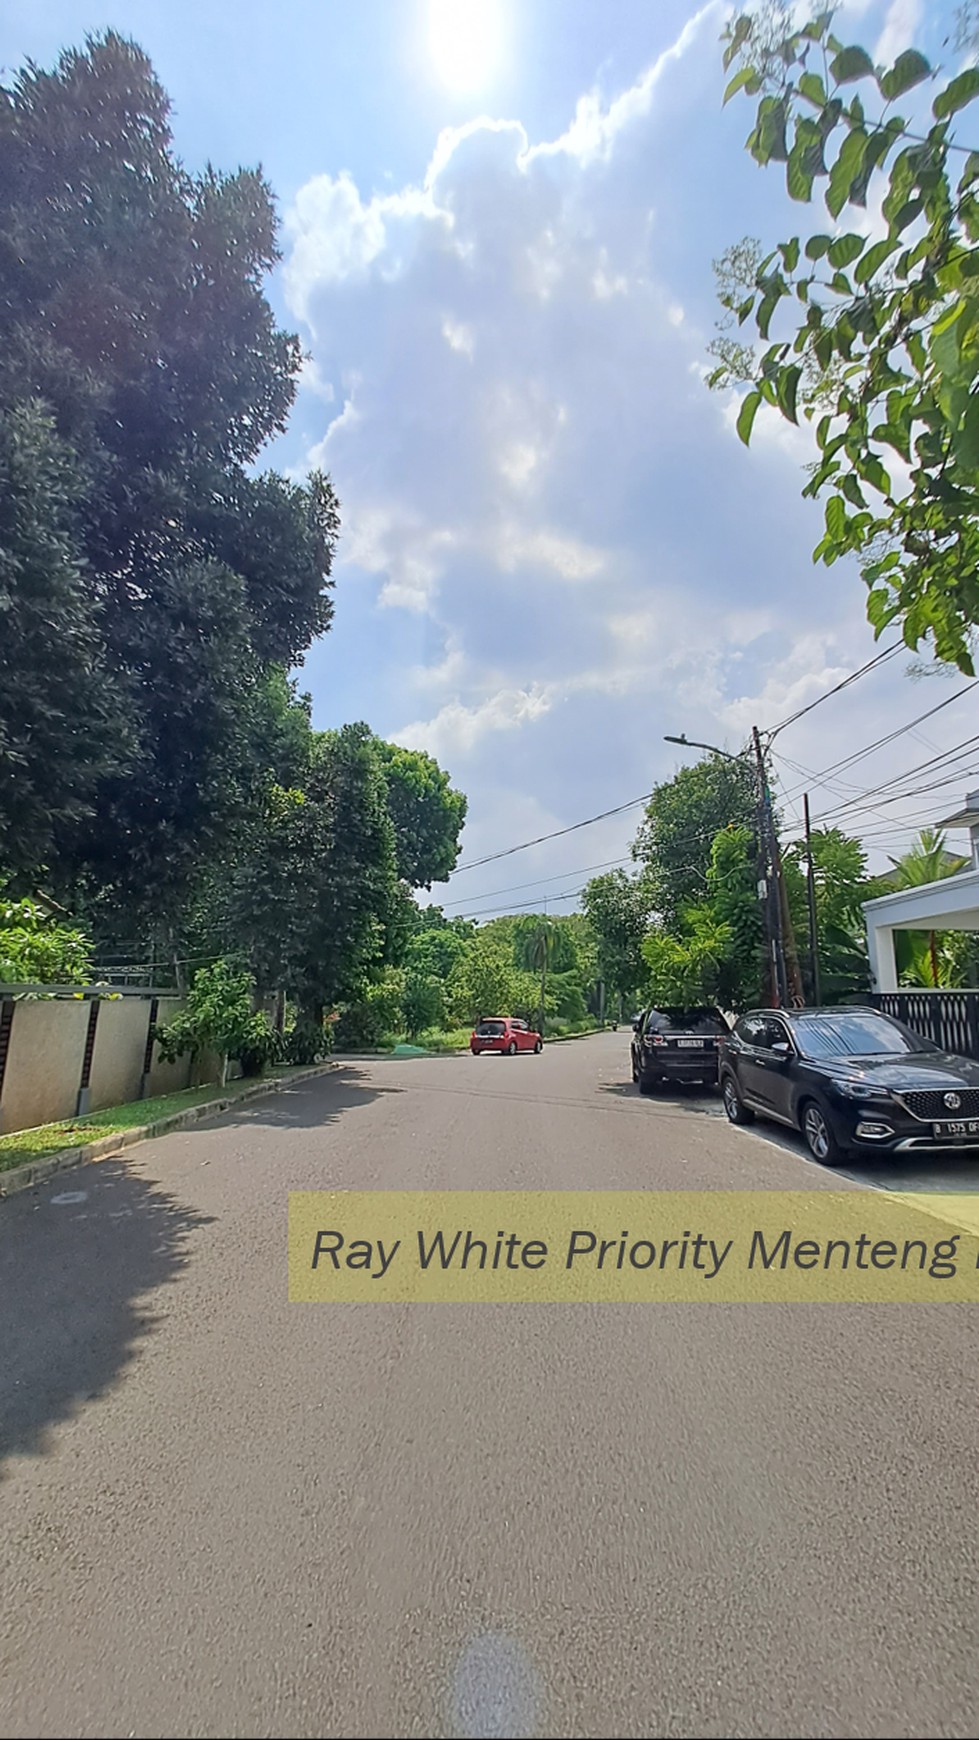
(853, 1081)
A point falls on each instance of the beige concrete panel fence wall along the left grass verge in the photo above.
(65, 1057)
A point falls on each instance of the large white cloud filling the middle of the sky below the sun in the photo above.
(550, 525)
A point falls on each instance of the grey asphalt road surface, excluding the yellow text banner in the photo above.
(225, 1515)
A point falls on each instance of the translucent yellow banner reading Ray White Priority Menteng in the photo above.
(618, 1247)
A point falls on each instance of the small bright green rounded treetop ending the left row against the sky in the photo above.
(429, 815)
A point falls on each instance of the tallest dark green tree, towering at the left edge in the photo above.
(137, 319)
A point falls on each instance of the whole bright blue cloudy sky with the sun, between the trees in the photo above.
(500, 220)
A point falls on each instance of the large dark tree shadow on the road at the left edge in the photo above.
(76, 1262)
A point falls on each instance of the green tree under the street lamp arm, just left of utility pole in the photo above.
(683, 819)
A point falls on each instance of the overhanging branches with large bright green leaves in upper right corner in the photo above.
(874, 337)
